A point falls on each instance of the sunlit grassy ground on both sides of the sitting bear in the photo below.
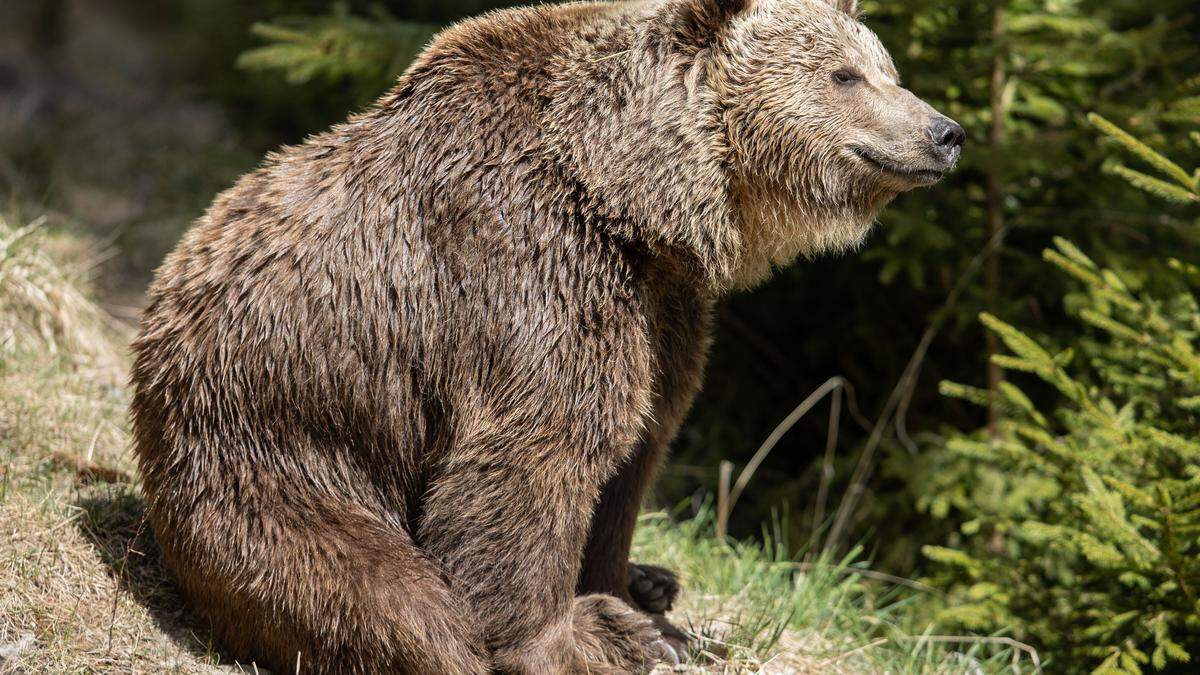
(82, 590)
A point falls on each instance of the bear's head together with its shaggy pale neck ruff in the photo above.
(746, 132)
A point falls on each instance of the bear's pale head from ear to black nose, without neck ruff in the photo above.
(821, 133)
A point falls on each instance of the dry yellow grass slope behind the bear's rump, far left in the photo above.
(77, 576)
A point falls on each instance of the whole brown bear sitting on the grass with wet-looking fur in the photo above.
(400, 393)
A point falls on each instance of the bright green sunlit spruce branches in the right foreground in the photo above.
(1083, 534)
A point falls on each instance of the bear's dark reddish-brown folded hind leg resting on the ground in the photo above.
(329, 590)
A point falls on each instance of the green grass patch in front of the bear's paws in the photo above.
(753, 608)
